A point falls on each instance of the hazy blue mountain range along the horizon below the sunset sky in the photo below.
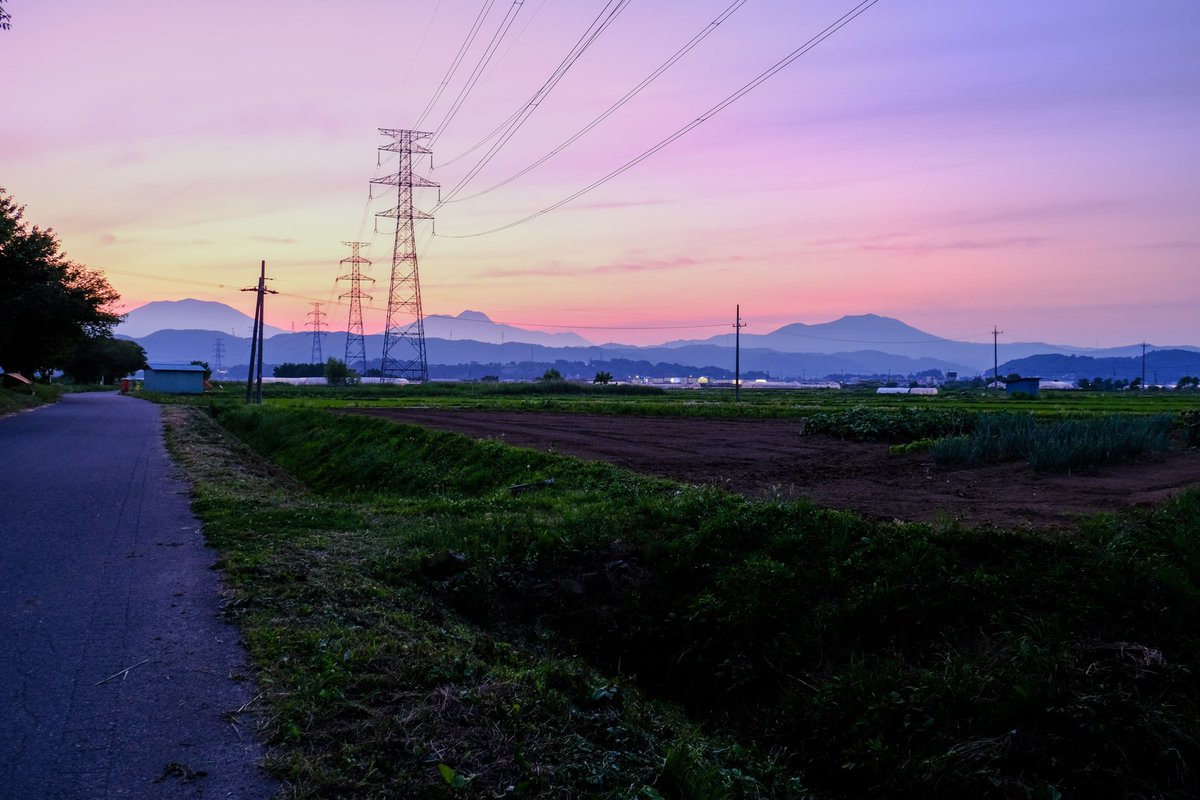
(471, 345)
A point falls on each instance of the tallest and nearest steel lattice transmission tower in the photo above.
(404, 334)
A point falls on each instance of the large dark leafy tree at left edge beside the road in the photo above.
(50, 306)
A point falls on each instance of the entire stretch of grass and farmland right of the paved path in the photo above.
(435, 615)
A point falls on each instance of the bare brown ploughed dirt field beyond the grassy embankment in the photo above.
(772, 459)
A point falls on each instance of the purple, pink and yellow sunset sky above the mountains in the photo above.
(1023, 165)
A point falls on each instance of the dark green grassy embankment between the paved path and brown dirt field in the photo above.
(614, 636)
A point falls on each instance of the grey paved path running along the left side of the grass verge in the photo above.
(103, 569)
